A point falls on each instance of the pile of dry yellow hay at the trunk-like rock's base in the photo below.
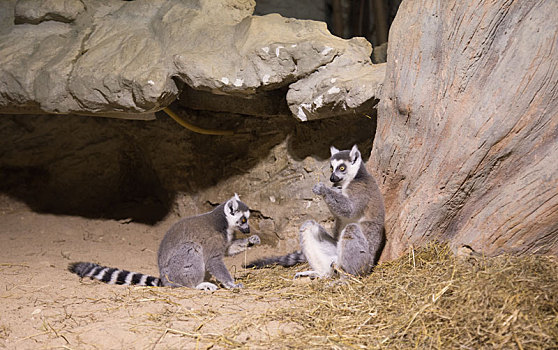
(428, 299)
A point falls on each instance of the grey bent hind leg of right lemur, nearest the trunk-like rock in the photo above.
(353, 251)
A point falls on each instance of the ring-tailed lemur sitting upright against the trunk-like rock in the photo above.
(358, 236)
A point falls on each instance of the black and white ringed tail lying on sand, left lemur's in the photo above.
(113, 276)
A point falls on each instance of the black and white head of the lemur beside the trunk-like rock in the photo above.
(344, 166)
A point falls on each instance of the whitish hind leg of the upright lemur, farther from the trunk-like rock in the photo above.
(319, 248)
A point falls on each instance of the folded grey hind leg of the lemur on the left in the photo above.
(186, 268)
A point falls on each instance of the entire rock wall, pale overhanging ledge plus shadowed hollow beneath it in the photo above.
(211, 62)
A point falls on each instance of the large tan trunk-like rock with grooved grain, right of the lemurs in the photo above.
(466, 148)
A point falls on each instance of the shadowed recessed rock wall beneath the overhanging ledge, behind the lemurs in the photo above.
(148, 171)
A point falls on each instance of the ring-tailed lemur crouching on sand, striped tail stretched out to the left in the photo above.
(190, 247)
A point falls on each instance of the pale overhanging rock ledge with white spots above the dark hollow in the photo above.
(132, 58)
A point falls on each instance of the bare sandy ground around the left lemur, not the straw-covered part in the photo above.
(44, 306)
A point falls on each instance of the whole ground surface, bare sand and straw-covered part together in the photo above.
(427, 298)
